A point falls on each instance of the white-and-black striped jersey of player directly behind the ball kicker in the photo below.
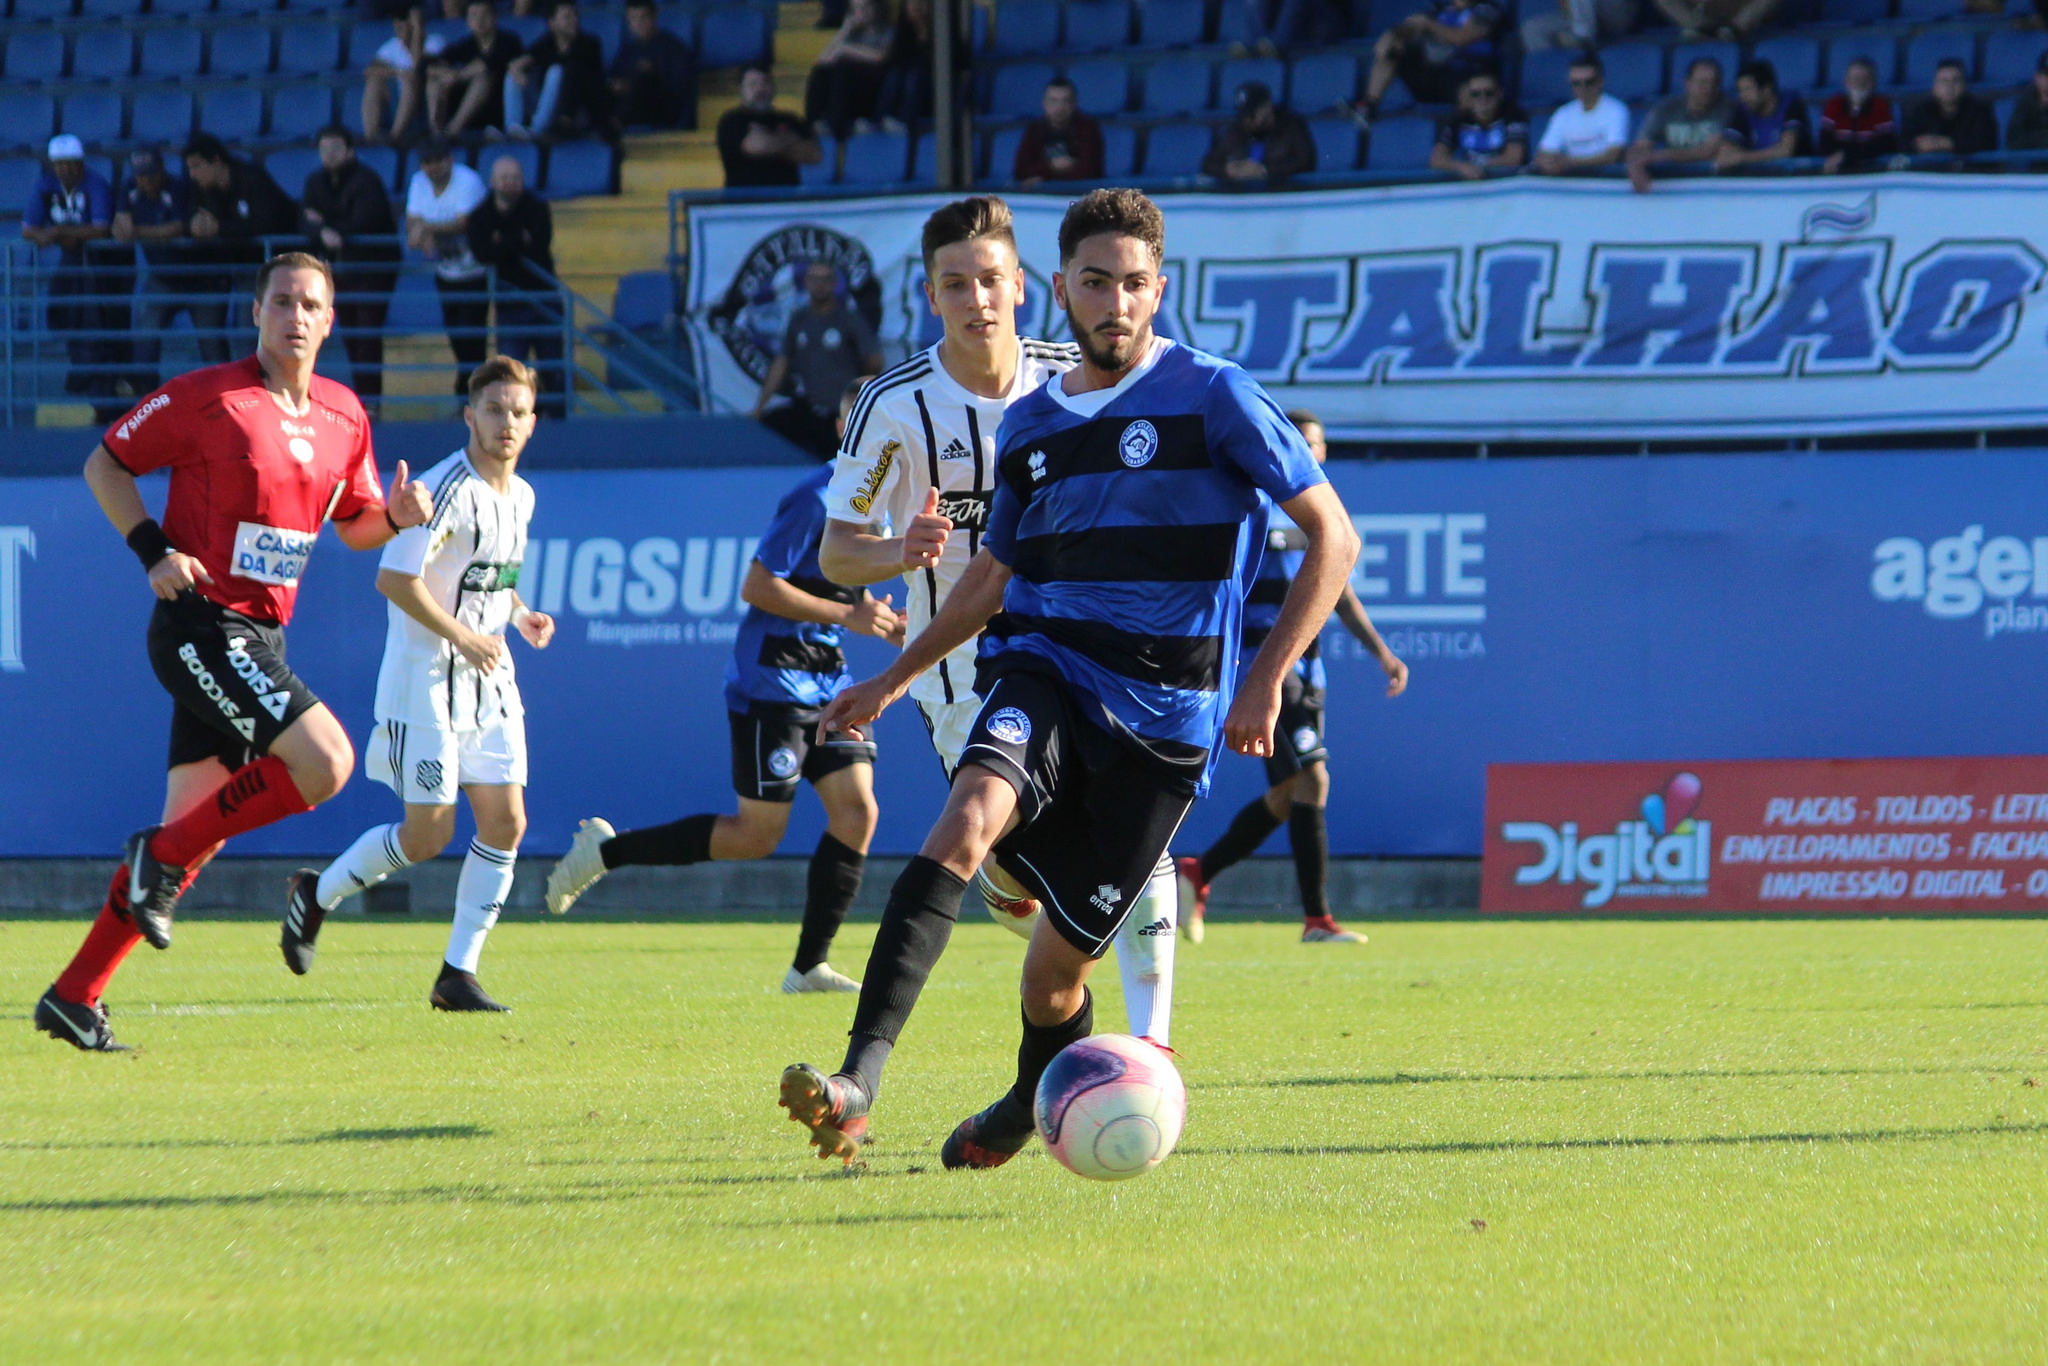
(916, 429)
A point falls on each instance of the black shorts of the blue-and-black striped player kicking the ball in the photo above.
(1093, 814)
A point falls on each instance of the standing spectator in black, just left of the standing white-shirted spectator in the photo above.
(347, 218)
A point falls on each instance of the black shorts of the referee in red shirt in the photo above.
(226, 673)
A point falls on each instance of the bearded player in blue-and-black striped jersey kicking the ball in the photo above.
(1113, 587)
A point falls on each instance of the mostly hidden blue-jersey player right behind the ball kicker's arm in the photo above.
(1297, 769)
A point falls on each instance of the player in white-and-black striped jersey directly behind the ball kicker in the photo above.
(910, 497)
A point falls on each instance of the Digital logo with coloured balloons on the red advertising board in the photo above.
(1664, 855)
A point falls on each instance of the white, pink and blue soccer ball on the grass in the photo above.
(1111, 1107)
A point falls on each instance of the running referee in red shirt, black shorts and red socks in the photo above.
(261, 454)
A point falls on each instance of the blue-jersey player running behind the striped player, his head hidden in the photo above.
(785, 669)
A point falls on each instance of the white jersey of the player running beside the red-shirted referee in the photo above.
(468, 556)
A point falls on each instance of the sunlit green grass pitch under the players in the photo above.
(1467, 1142)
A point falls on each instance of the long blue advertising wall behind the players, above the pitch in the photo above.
(1560, 609)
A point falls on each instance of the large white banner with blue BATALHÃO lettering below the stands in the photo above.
(1523, 308)
